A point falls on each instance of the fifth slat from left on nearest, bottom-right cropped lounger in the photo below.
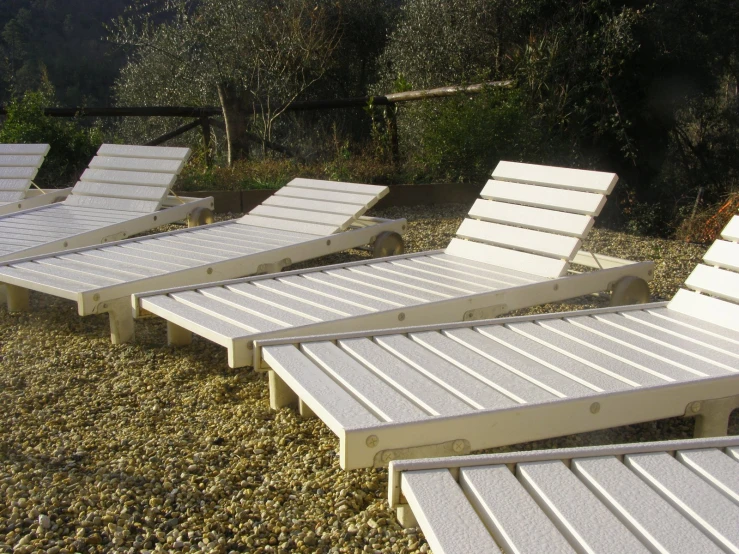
(698, 501)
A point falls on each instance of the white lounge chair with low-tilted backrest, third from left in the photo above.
(303, 220)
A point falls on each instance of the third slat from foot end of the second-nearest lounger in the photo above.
(417, 386)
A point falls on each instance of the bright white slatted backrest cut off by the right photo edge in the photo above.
(714, 286)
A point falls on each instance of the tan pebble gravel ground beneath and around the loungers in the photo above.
(141, 447)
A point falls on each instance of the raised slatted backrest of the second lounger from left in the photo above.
(129, 178)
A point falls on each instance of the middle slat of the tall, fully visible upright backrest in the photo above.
(575, 225)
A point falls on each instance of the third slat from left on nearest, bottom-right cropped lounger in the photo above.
(575, 511)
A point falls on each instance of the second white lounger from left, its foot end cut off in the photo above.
(124, 191)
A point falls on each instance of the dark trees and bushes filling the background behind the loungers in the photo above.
(645, 89)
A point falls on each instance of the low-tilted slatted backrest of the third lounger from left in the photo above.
(315, 207)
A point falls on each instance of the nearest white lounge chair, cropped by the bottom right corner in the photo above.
(680, 497)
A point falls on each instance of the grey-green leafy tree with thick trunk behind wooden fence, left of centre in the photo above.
(258, 56)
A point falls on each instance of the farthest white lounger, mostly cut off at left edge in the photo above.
(19, 164)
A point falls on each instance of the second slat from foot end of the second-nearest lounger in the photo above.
(381, 398)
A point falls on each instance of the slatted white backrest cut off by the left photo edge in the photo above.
(19, 164)
